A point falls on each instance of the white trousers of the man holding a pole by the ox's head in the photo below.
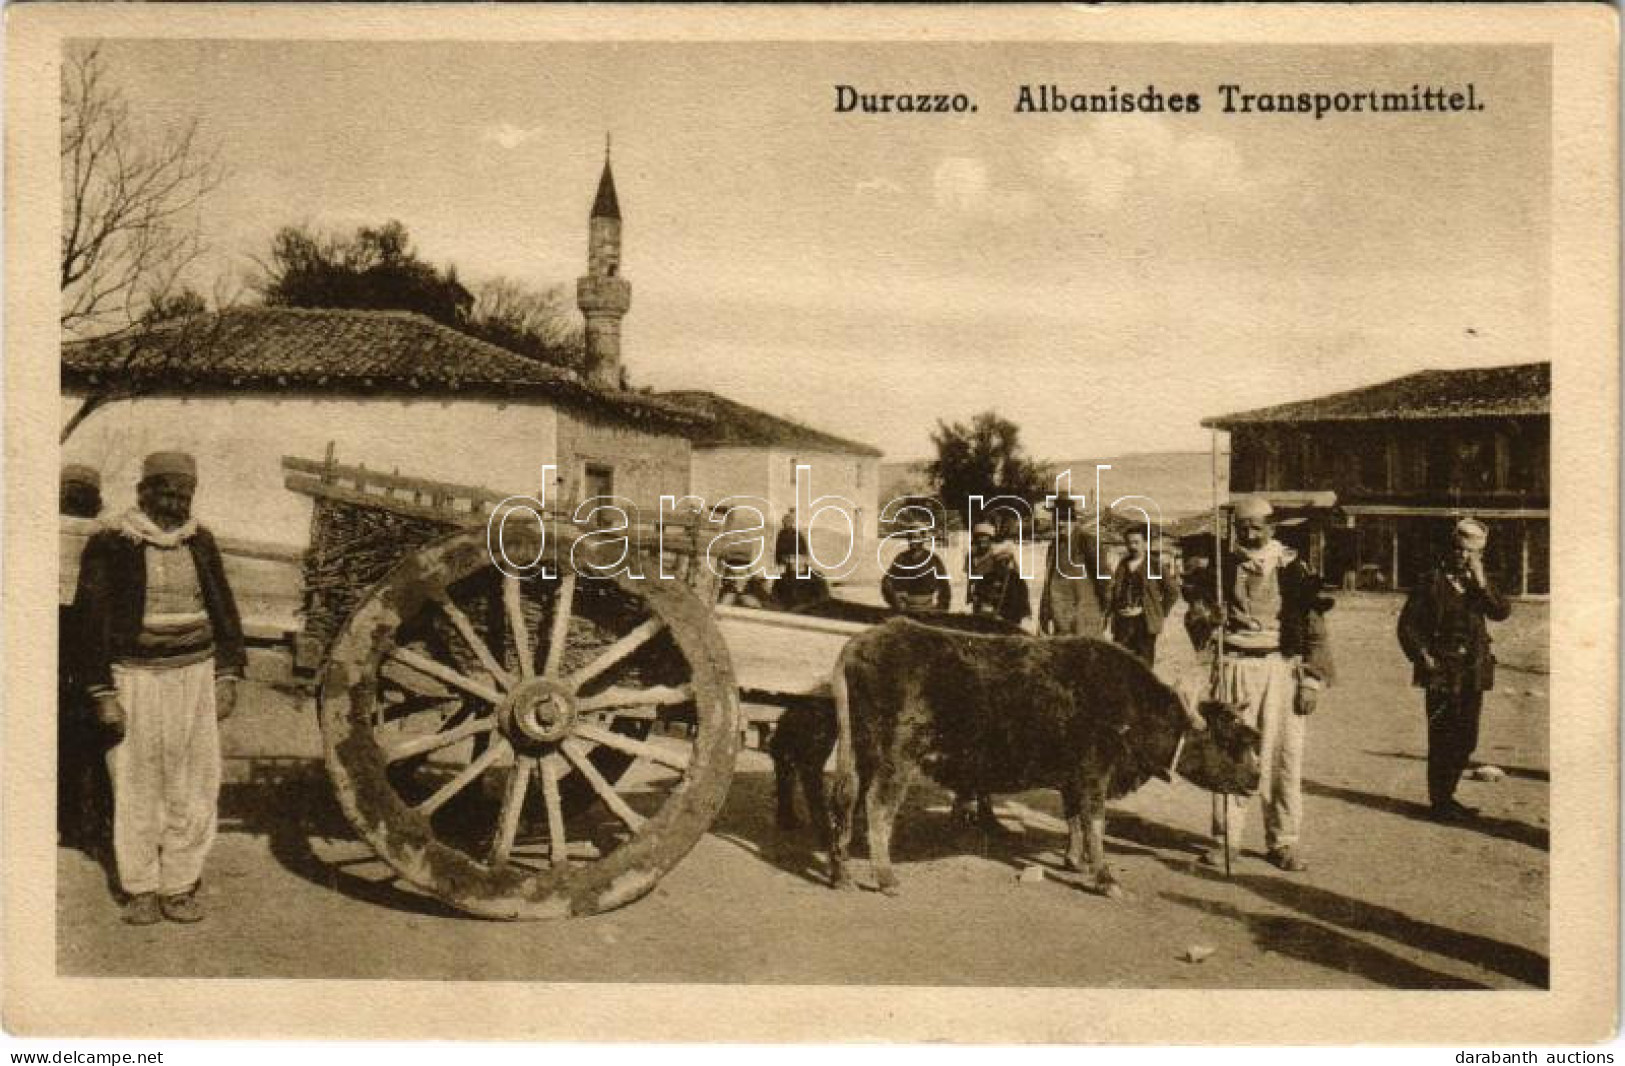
(1265, 688)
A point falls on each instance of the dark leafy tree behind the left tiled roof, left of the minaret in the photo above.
(376, 269)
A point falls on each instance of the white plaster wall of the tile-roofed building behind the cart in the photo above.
(240, 443)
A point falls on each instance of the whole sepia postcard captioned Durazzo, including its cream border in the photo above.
(846, 513)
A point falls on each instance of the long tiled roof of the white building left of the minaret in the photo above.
(342, 352)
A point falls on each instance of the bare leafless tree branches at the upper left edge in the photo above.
(129, 201)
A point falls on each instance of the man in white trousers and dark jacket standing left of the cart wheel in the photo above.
(162, 651)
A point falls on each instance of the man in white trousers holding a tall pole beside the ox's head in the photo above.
(1275, 667)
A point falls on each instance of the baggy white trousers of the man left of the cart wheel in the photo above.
(165, 778)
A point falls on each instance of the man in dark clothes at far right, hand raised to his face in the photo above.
(1444, 635)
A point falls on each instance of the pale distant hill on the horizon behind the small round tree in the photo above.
(1181, 482)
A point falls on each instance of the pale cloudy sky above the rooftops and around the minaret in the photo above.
(1103, 280)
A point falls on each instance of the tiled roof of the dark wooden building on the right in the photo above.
(1481, 392)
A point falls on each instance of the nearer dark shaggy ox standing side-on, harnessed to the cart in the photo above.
(992, 714)
